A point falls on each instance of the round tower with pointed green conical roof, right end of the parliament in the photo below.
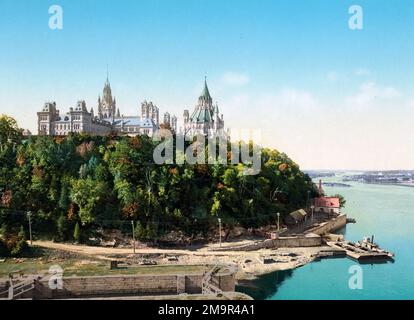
(205, 118)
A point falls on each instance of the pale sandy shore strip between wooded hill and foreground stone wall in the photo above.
(248, 264)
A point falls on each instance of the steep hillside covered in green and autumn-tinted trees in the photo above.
(105, 182)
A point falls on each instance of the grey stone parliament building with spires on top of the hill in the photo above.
(205, 118)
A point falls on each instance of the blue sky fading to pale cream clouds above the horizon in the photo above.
(329, 96)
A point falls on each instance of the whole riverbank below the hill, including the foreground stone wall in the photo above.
(105, 268)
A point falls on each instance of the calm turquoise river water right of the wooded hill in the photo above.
(384, 211)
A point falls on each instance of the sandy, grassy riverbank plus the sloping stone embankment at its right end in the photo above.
(248, 257)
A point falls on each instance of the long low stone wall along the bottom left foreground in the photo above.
(130, 285)
